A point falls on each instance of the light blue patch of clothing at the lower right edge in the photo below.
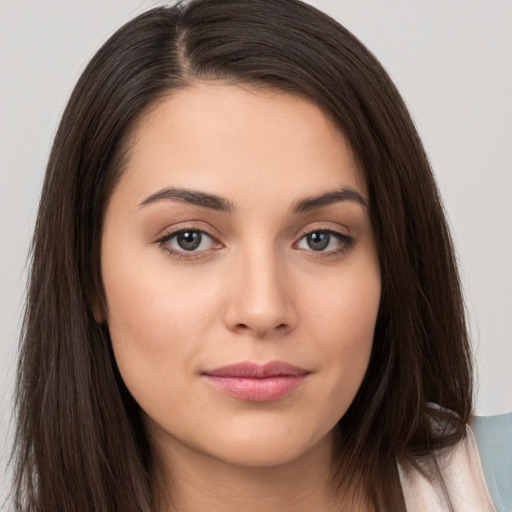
(494, 439)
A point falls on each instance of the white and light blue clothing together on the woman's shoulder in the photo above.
(475, 475)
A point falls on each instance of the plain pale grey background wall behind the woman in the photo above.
(452, 61)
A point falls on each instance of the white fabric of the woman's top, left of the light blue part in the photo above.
(463, 483)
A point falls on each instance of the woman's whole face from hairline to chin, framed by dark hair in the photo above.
(241, 276)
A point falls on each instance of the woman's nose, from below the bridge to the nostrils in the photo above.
(261, 301)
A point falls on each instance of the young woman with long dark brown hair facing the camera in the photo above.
(242, 308)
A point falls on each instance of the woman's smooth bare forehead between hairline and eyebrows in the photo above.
(231, 138)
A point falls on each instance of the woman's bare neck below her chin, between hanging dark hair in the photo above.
(191, 481)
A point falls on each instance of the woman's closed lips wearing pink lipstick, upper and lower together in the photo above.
(257, 383)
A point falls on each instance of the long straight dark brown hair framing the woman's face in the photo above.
(80, 444)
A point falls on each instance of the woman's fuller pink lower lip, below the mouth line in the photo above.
(265, 389)
